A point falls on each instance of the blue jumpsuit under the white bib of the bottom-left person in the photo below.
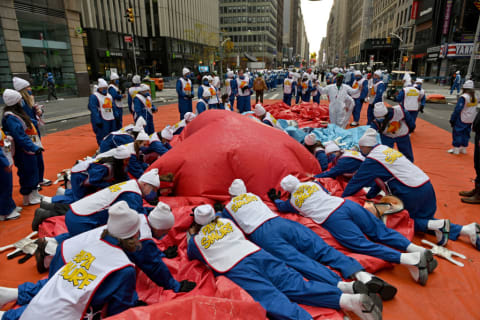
(116, 293)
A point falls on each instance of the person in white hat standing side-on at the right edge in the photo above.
(462, 118)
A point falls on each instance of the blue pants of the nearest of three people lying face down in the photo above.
(276, 287)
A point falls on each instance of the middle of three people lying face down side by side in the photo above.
(293, 243)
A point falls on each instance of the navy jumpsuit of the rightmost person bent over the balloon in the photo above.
(420, 202)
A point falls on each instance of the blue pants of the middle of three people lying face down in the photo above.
(302, 249)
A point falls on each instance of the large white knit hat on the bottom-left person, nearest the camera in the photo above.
(123, 222)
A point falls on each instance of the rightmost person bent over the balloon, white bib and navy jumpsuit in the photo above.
(409, 183)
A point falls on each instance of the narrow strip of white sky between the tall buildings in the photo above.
(315, 15)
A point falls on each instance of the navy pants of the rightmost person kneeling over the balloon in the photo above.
(421, 205)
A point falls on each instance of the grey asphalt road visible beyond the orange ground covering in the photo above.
(70, 113)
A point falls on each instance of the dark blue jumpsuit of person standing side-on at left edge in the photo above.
(24, 158)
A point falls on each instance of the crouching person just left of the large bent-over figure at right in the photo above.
(345, 163)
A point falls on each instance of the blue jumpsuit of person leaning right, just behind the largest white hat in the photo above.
(77, 224)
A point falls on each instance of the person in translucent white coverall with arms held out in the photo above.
(341, 102)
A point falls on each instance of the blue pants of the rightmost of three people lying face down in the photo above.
(350, 223)
